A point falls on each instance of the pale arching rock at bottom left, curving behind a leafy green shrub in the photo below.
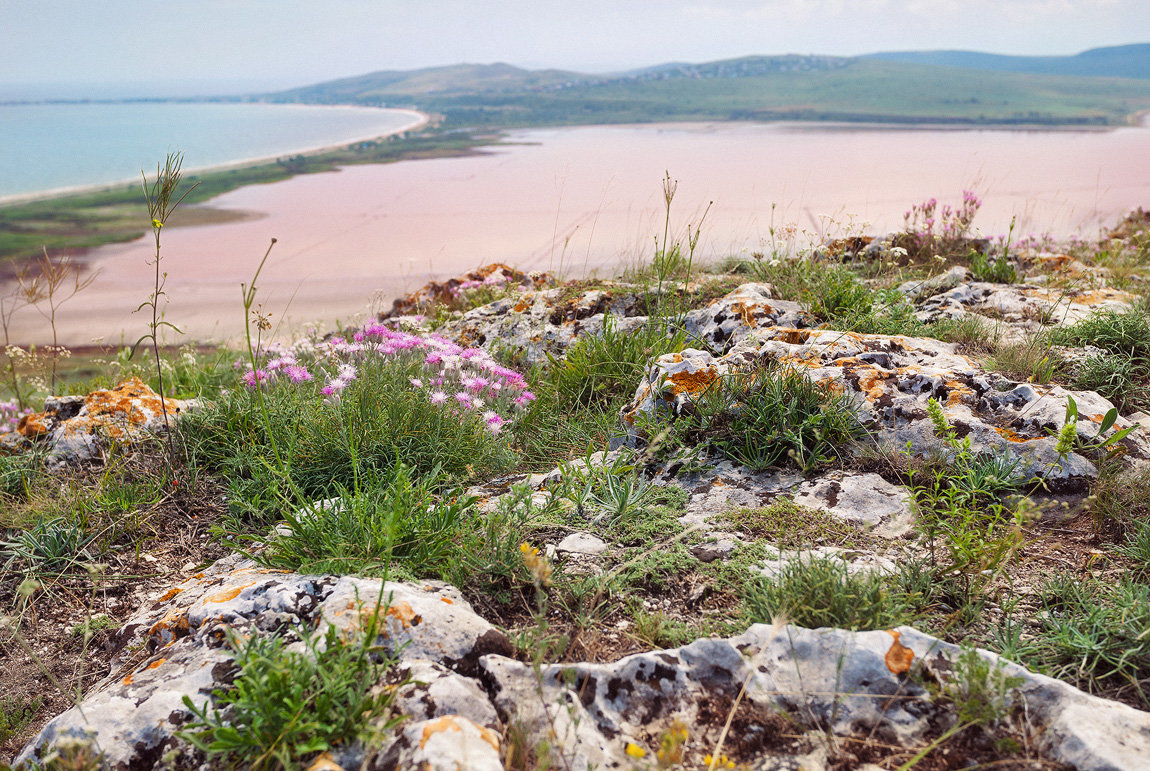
(175, 648)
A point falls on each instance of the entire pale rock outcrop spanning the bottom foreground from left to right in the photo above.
(771, 698)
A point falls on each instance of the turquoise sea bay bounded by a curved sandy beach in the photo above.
(53, 147)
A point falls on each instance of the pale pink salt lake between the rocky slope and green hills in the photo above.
(585, 199)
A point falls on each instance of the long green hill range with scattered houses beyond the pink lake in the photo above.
(800, 88)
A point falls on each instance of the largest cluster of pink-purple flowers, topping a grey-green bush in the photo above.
(453, 377)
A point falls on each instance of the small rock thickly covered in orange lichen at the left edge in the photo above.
(78, 429)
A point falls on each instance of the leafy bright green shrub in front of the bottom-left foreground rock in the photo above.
(286, 706)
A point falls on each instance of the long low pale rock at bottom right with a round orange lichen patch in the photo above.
(791, 685)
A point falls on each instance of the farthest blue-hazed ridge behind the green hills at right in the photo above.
(1115, 62)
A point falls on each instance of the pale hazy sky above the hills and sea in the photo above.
(163, 48)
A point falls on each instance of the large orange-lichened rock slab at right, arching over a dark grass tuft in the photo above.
(891, 379)
